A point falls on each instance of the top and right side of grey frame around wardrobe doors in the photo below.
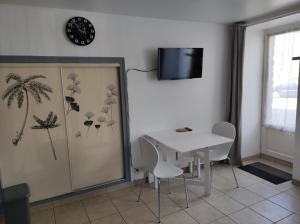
(123, 95)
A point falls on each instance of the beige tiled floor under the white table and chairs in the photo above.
(255, 202)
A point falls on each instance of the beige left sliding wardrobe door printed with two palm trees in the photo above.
(32, 161)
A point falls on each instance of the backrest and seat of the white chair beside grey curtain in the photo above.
(225, 129)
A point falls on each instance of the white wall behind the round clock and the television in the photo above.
(153, 105)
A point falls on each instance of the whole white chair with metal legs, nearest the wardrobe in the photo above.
(158, 168)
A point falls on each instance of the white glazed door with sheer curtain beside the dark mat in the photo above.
(280, 101)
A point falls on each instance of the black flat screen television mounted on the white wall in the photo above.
(179, 63)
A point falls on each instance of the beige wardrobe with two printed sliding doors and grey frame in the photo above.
(63, 124)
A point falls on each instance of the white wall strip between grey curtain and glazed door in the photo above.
(251, 103)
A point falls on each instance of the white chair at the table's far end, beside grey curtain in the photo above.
(221, 152)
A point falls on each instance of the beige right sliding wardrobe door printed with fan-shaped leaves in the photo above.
(93, 121)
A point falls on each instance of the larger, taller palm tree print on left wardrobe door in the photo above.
(20, 90)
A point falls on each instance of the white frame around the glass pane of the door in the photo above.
(265, 81)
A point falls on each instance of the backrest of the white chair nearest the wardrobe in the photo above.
(149, 154)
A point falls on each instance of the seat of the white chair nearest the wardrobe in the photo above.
(167, 170)
